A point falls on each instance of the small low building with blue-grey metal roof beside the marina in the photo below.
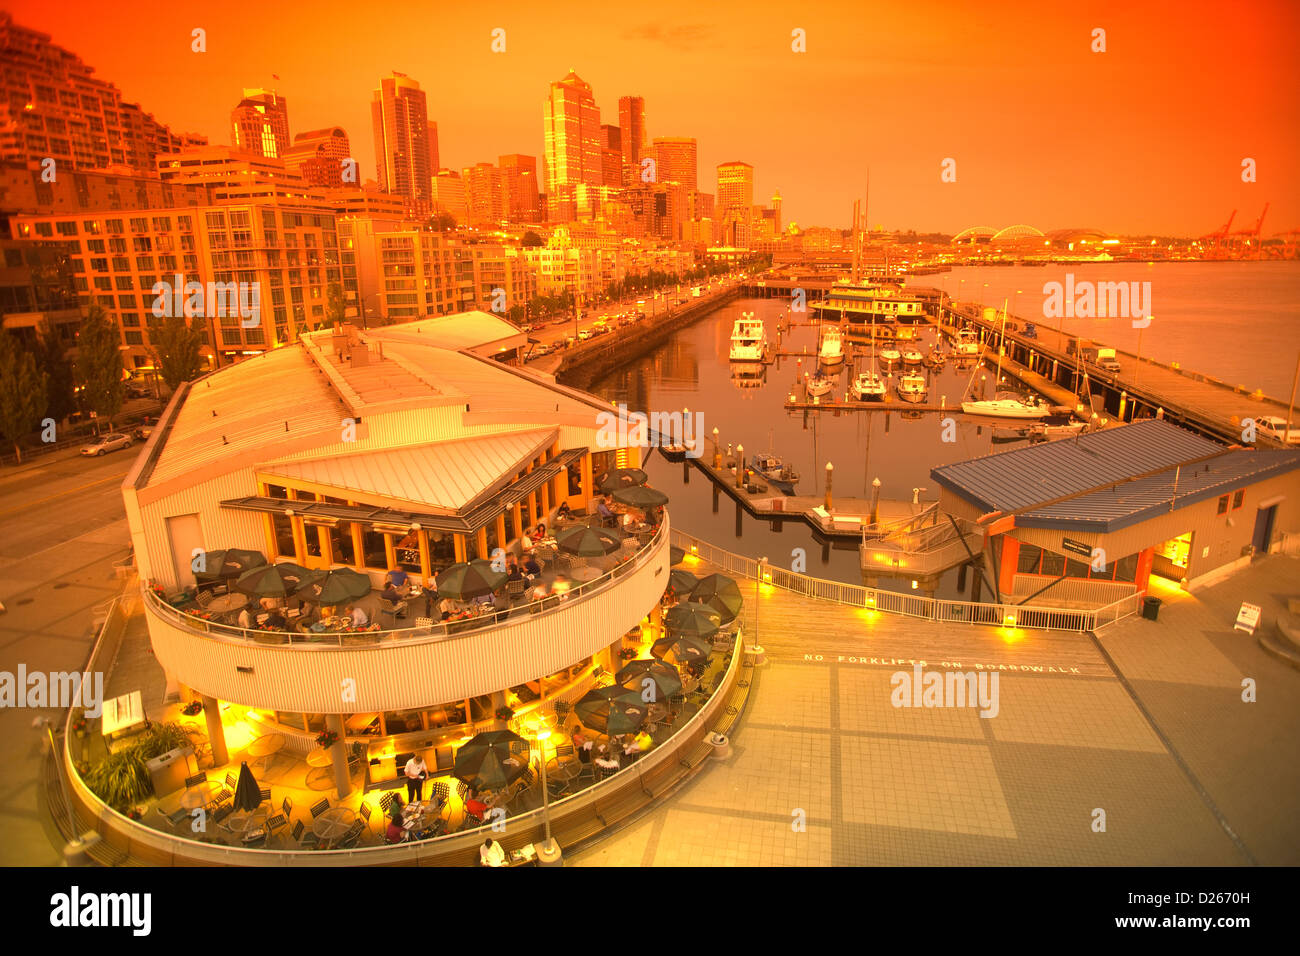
(1095, 518)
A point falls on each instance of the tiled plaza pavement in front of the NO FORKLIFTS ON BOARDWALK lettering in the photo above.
(826, 772)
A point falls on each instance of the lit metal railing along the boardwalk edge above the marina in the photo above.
(1034, 617)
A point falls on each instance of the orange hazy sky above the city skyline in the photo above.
(1145, 139)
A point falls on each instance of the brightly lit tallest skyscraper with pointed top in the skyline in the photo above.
(573, 133)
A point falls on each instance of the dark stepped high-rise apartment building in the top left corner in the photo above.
(54, 107)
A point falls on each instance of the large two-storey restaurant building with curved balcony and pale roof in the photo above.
(372, 451)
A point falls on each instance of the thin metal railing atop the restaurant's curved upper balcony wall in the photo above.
(443, 630)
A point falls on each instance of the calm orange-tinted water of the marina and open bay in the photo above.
(692, 370)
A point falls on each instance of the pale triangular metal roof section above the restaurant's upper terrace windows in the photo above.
(444, 475)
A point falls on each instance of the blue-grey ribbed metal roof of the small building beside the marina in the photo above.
(1022, 478)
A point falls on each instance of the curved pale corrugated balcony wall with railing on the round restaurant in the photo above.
(415, 667)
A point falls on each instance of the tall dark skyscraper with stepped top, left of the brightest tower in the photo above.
(401, 118)
